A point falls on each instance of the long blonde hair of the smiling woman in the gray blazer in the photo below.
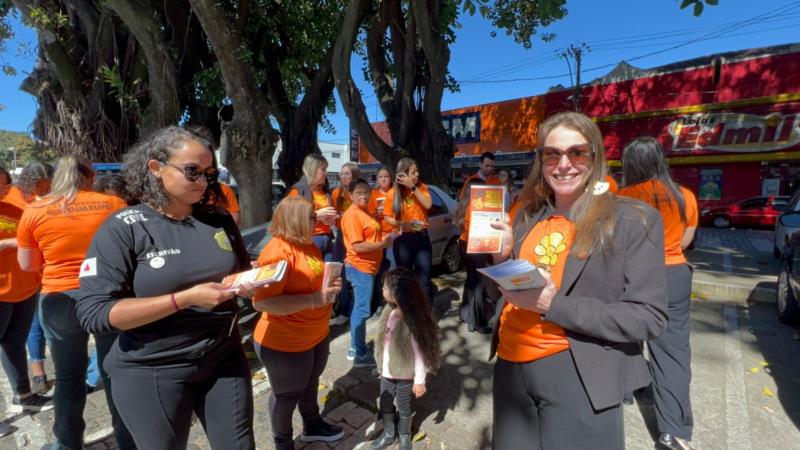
(593, 215)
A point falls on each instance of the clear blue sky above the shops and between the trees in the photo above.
(656, 32)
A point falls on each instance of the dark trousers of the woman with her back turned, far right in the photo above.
(670, 359)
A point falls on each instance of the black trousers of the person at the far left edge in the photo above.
(15, 323)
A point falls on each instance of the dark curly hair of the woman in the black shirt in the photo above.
(159, 146)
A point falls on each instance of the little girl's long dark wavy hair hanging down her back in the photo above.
(417, 312)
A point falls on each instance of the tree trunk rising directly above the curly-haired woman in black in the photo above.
(144, 22)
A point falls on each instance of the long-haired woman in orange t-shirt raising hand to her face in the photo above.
(407, 210)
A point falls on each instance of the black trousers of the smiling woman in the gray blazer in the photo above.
(542, 405)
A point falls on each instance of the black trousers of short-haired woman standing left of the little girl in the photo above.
(294, 378)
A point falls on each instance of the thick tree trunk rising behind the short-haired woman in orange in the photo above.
(248, 139)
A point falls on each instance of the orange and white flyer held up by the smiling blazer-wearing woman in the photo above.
(487, 206)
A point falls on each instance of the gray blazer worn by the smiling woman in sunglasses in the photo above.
(610, 302)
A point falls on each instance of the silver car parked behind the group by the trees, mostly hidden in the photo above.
(441, 229)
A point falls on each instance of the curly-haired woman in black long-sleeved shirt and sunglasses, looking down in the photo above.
(153, 273)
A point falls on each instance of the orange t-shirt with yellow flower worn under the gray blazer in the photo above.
(524, 336)
